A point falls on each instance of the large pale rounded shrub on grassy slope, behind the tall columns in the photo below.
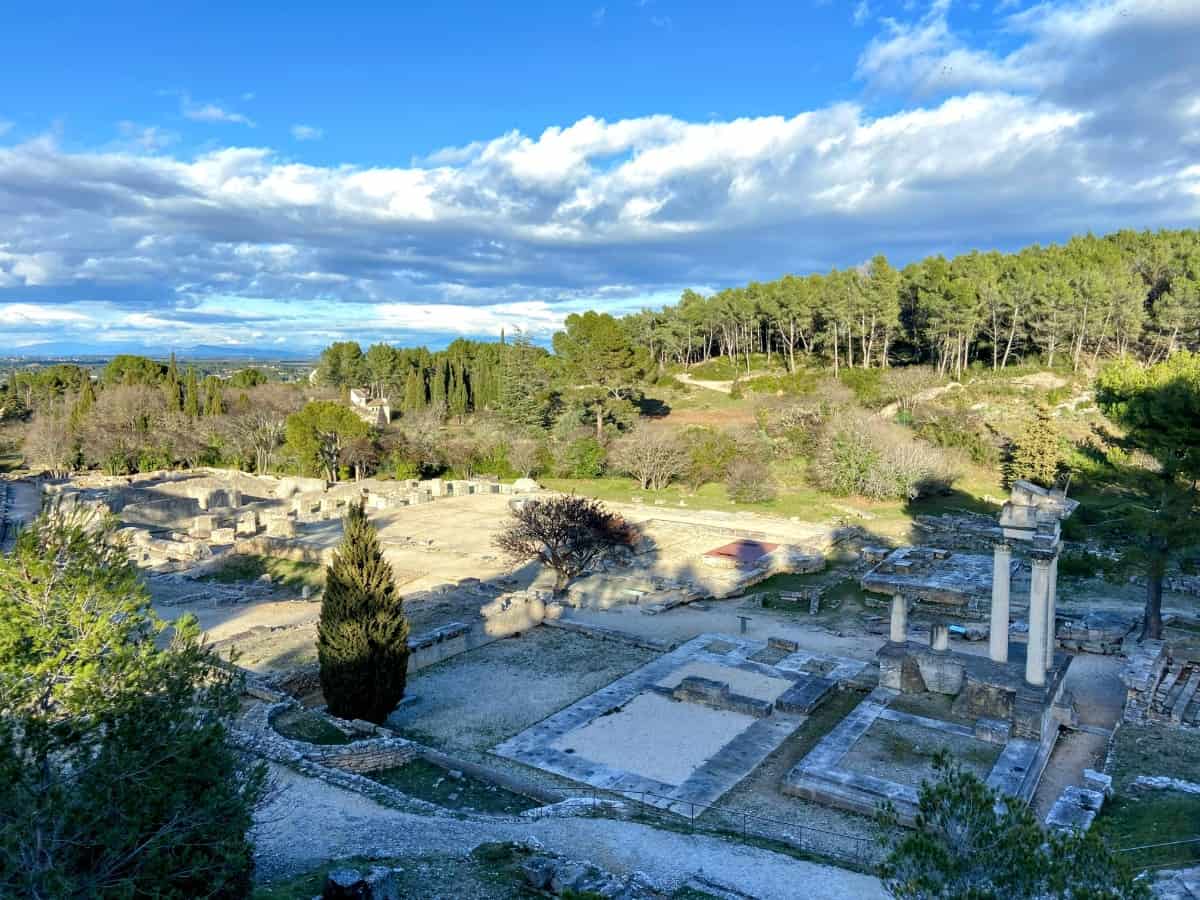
(881, 461)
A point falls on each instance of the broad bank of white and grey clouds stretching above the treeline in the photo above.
(1052, 139)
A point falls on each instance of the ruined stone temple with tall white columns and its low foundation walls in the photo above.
(1016, 697)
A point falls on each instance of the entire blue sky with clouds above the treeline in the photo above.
(277, 178)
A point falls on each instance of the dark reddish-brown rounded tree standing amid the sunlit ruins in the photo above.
(567, 533)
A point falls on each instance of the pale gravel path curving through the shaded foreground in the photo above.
(309, 823)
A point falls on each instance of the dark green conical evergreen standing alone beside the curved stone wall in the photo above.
(363, 634)
